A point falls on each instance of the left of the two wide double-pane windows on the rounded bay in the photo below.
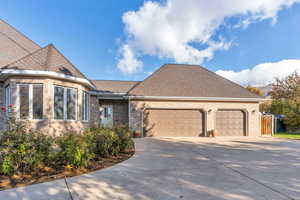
(30, 101)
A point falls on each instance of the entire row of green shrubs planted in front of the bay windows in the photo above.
(23, 151)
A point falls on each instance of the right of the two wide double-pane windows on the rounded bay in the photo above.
(65, 102)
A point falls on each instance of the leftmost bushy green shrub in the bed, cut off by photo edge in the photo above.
(23, 151)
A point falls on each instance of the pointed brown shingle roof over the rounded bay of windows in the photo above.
(46, 59)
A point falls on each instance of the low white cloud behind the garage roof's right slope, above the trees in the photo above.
(262, 74)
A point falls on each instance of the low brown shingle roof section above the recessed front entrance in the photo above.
(111, 86)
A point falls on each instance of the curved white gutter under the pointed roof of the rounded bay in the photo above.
(46, 73)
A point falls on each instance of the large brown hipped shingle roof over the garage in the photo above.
(188, 81)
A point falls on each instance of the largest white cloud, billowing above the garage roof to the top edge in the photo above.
(171, 28)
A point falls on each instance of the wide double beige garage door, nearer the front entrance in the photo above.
(173, 123)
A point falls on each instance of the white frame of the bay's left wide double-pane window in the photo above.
(30, 101)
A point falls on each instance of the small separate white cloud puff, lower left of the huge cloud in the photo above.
(128, 64)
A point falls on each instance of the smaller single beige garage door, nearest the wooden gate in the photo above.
(230, 123)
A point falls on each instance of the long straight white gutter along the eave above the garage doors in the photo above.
(196, 98)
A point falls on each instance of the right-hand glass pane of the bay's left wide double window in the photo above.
(37, 101)
